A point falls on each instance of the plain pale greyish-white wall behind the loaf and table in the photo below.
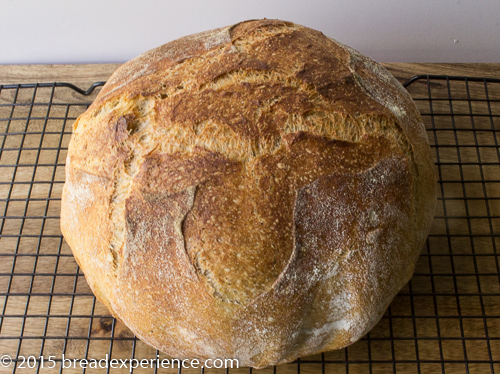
(96, 31)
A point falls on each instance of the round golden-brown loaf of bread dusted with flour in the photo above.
(258, 192)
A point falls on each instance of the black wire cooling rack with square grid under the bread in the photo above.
(446, 319)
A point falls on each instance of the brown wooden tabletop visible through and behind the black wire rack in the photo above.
(421, 300)
